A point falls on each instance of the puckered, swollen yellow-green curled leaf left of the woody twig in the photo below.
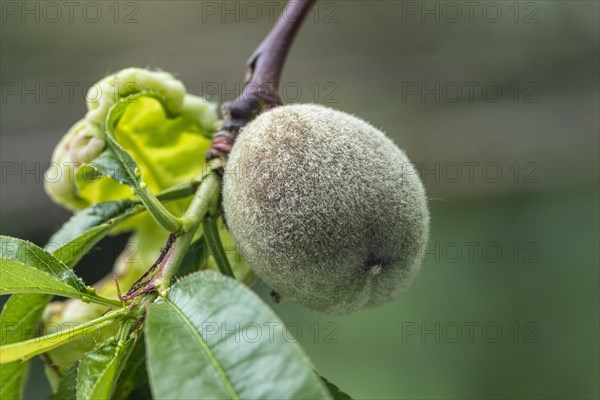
(163, 128)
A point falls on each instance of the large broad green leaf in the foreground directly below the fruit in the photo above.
(231, 344)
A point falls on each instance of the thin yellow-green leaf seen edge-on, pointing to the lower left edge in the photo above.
(24, 350)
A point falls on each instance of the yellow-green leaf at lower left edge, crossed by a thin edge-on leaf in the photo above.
(18, 322)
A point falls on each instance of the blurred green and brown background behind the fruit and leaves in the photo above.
(497, 105)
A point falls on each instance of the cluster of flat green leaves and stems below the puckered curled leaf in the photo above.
(178, 332)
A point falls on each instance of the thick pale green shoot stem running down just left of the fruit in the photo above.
(205, 196)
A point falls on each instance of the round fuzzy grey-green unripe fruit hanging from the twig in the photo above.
(327, 210)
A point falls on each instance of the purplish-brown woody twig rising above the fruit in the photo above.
(262, 78)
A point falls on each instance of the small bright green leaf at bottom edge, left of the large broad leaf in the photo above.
(99, 370)
